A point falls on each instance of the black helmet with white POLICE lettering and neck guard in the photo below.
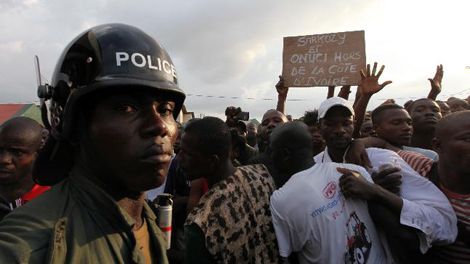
(106, 58)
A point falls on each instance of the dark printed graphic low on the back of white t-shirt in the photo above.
(358, 243)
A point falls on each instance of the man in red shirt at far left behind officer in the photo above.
(20, 140)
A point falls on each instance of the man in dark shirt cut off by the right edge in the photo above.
(452, 142)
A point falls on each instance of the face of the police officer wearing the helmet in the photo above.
(131, 137)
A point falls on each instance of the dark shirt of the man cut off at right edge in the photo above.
(459, 251)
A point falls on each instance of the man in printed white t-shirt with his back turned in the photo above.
(312, 218)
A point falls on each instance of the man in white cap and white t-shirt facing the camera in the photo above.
(418, 215)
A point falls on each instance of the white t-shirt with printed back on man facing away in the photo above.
(312, 217)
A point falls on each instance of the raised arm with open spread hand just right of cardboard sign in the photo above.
(368, 87)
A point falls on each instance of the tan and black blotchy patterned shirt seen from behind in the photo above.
(235, 219)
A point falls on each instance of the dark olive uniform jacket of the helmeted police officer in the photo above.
(75, 222)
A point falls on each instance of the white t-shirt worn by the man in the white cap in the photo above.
(425, 207)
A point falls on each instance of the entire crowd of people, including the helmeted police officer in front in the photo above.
(338, 185)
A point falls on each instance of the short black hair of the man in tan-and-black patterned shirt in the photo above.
(212, 134)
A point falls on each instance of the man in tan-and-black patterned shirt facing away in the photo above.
(232, 222)
